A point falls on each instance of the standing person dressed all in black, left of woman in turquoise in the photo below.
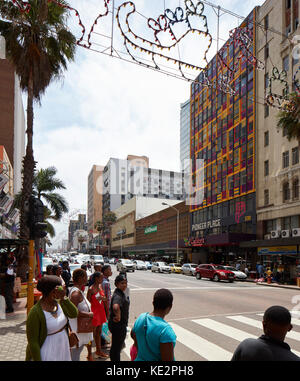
(118, 318)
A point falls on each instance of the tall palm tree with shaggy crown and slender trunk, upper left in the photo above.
(39, 45)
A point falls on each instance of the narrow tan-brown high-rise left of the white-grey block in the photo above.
(95, 191)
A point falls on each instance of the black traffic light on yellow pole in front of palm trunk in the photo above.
(36, 218)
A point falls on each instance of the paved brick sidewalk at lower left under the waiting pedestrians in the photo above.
(13, 340)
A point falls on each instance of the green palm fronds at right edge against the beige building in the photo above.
(290, 119)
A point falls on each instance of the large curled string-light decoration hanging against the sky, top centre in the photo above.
(164, 24)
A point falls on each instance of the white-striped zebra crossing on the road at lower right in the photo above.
(216, 338)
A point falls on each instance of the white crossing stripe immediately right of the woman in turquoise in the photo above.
(202, 347)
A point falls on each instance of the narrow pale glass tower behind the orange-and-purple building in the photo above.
(185, 134)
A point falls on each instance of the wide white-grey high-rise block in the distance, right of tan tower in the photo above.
(124, 179)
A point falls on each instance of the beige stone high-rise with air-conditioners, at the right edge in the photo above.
(278, 164)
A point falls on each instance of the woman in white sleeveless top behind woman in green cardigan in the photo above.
(78, 298)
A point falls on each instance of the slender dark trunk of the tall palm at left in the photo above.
(28, 171)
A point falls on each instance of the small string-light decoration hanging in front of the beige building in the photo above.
(281, 102)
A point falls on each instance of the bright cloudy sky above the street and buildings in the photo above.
(105, 107)
